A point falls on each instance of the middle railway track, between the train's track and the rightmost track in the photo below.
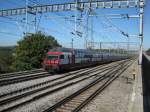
(26, 93)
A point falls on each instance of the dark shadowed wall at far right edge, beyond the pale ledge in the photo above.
(146, 82)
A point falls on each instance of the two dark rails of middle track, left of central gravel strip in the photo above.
(25, 91)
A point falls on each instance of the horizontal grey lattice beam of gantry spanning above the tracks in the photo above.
(71, 6)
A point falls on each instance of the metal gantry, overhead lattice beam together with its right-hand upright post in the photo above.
(80, 5)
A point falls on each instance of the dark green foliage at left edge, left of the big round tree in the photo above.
(5, 59)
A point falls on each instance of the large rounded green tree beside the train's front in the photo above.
(30, 51)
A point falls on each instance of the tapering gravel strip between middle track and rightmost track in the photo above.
(47, 101)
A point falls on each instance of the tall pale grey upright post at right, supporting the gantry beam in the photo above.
(141, 14)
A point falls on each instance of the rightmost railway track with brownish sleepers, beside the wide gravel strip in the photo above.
(79, 99)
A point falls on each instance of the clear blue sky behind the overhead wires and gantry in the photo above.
(61, 24)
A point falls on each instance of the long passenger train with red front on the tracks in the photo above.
(58, 59)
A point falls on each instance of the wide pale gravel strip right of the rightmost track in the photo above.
(114, 98)
